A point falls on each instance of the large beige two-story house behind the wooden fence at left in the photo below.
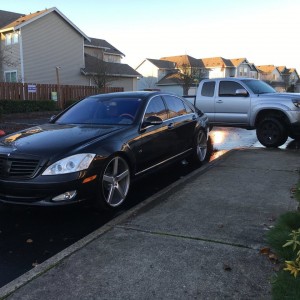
(39, 47)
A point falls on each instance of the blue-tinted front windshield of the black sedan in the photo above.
(102, 110)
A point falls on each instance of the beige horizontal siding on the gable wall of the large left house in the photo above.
(49, 42)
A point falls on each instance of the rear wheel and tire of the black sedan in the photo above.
(202, 148)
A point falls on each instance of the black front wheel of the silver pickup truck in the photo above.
(271, 133)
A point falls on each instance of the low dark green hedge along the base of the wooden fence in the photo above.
(25, 106)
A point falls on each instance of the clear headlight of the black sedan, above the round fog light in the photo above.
(70, 164)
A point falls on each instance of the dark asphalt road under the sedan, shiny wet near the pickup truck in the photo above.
(29, 236)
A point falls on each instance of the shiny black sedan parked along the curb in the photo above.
(93, 149)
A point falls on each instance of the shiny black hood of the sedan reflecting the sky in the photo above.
(51, 139)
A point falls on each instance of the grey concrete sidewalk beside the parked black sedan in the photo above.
(200, 238)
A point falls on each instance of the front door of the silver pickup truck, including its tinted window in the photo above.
(231, 108)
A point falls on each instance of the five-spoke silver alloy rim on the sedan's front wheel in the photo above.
(115, 181)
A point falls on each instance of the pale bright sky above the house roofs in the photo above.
(263, 31)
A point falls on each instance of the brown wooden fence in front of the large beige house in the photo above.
(27, 91)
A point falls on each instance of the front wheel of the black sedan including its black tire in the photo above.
(114, 184)
